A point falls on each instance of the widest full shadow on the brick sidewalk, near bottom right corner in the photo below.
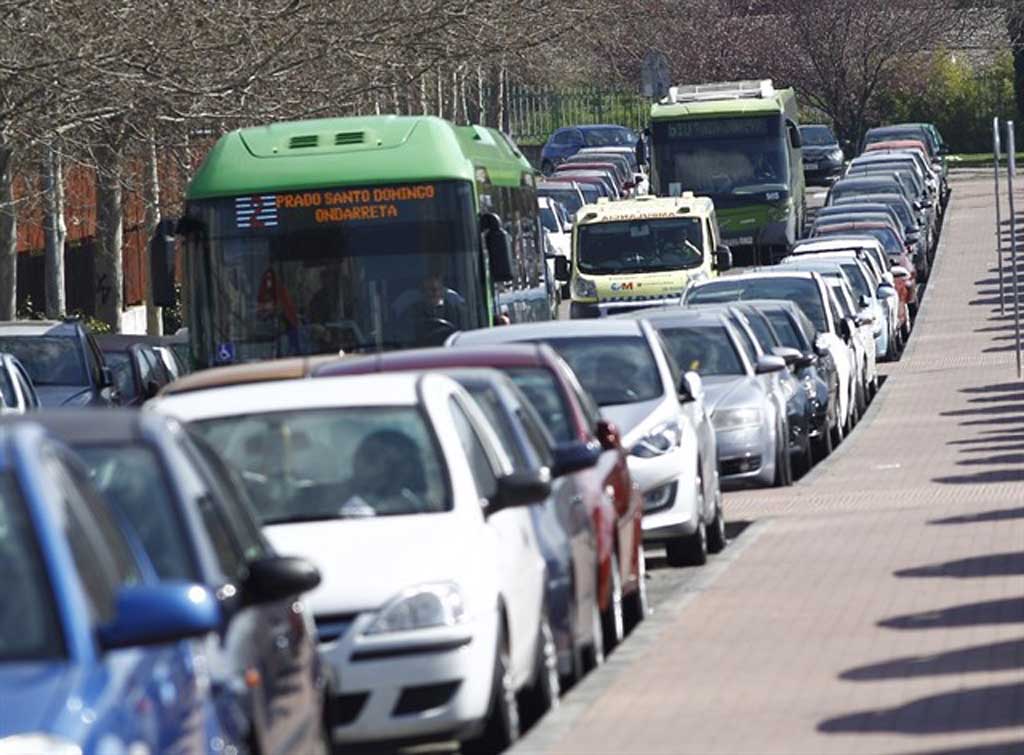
(961, 710)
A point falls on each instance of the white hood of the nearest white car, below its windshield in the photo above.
(365, 563)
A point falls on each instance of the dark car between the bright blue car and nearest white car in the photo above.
(195, 522)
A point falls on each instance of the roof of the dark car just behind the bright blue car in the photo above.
(96, 427)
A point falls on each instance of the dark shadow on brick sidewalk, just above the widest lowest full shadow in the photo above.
(995, 657)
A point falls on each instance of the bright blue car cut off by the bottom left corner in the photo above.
(96, 654)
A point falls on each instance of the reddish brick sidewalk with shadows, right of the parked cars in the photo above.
(880, 605)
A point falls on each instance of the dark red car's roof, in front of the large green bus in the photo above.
(522, 355)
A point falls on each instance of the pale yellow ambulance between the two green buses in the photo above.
(641, 254)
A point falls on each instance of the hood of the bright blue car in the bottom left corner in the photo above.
(34, 694)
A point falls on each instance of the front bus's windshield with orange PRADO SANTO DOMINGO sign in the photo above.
(343, 269)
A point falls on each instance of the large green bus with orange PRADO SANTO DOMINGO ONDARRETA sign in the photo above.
(358, 235)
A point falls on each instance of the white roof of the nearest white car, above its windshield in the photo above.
(394, 390)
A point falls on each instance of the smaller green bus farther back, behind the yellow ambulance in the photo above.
(739, 144)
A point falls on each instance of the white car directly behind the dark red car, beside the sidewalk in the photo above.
(662, 416)
